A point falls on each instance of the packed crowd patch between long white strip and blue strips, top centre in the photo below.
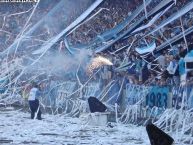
(111, 13)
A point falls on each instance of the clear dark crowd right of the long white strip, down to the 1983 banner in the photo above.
(166, 69)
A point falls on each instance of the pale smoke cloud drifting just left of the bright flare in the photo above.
(56, 63)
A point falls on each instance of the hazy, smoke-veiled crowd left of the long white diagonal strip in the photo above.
(13, 17)
